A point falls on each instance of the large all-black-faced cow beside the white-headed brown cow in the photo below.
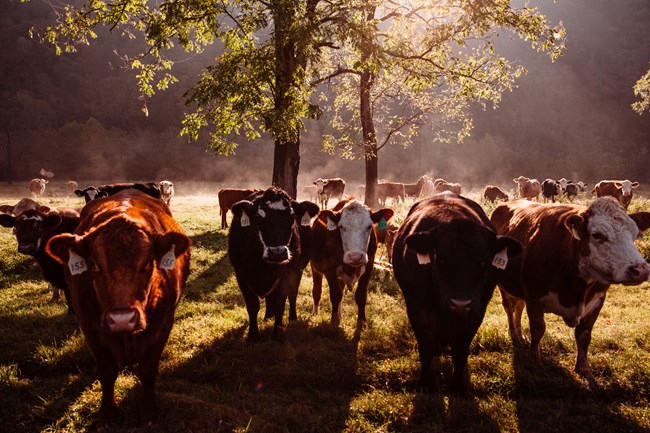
(446, 259)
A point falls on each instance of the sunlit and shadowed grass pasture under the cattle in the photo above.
(321, 380)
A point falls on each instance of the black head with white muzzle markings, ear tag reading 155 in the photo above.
(274, 216)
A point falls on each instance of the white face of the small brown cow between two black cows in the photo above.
(355, 225)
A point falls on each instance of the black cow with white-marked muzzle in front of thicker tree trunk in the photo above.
(265, 248)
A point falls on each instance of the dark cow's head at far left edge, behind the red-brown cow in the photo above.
(32, 228)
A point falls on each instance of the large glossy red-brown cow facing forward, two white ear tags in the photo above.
(126, 266)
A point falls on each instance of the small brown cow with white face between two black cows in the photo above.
(344, 247)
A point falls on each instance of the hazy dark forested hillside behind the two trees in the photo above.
(80, 115)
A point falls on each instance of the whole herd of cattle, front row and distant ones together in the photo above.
(122, 262)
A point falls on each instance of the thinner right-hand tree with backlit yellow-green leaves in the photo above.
(421, 62)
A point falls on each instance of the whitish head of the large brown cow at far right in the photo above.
(606, 235)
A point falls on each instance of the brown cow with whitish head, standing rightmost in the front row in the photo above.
(572, 253)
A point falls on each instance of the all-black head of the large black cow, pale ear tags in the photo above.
(464, 258)
